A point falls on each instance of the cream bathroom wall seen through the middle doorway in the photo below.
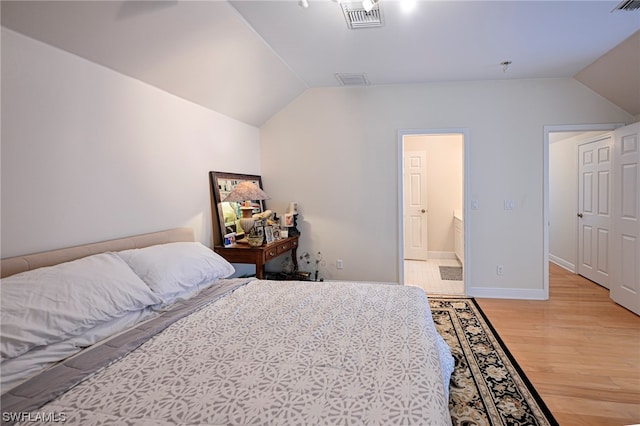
(444, 187)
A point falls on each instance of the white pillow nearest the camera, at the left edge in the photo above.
(54, 303)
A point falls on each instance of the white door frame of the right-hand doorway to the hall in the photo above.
(545, 173)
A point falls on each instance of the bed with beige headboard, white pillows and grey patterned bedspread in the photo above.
(150, 330)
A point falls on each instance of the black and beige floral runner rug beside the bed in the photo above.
(487, 386)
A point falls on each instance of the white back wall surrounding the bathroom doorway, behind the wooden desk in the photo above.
(334, 150)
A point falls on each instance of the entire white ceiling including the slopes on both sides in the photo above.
(248, 59)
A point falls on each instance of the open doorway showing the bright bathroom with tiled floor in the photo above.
(431, 210)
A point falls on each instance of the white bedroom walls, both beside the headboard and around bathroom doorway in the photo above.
(90, 154)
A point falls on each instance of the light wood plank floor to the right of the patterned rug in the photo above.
(580, 350)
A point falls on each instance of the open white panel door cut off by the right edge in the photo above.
(625, 268)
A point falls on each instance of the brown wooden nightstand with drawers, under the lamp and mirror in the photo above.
(259, 256)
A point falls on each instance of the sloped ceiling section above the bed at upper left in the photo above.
(202, 51)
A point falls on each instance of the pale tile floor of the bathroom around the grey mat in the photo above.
(426, 275)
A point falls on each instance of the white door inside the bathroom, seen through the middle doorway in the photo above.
(415, 205)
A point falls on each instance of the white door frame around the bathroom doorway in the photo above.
(465, 199)
